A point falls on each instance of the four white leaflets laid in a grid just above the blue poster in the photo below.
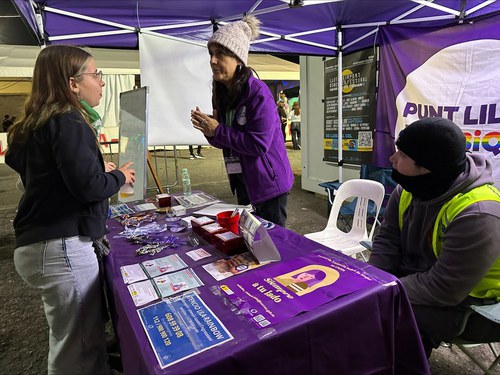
(155, 278)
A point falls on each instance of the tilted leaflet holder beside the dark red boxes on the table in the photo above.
(257, 239)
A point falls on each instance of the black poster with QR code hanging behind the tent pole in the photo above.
(358, 107)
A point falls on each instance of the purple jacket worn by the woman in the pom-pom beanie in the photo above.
(255, 137)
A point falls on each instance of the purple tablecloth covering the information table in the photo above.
(371, 331)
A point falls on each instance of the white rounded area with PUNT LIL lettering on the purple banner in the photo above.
(466, 94)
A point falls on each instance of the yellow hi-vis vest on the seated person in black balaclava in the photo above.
(489, 286)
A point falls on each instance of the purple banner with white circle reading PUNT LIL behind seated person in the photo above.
(450, 72)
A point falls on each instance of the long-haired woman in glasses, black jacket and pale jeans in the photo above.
(64, 206)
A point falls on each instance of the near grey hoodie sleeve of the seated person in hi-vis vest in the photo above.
(469, 250)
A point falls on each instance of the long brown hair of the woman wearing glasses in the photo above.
(50, 93)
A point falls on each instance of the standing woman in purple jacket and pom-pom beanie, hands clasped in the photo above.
(245, 123)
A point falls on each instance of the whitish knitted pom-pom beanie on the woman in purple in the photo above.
(236, 36)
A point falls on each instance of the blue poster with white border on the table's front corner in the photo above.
(180, 327)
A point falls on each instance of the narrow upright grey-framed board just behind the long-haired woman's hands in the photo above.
(133, 135)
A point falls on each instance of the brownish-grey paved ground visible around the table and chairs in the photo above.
(23, 333)
